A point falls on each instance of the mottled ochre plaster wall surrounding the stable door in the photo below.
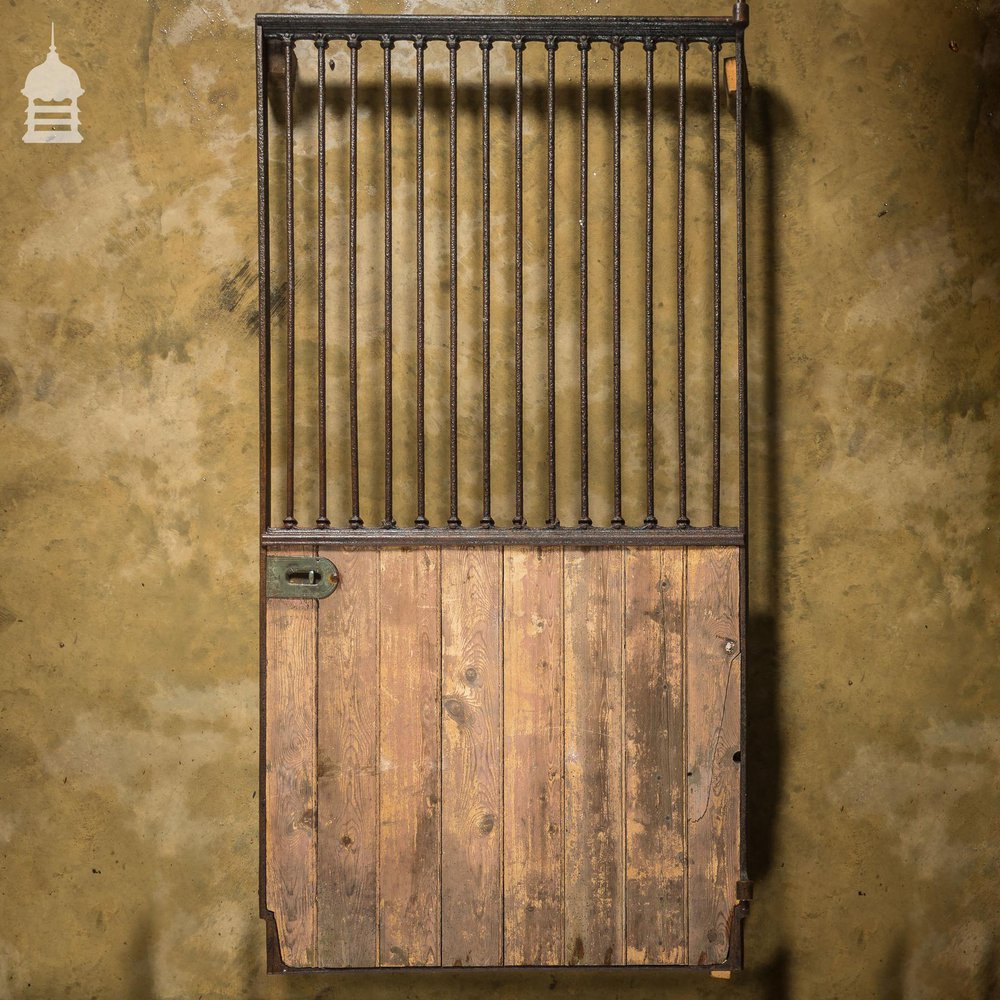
(128, 817)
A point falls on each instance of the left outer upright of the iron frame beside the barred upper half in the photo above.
(264, 283)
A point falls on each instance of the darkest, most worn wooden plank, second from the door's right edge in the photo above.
(654, 765)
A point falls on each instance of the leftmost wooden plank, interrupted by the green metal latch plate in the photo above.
(290, 775)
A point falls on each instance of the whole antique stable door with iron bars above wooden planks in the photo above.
(503, 490)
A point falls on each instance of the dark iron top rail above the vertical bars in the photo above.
(506, 27)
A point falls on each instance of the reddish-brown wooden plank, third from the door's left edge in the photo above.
(410, 720)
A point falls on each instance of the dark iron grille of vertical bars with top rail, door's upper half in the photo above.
(285, 29)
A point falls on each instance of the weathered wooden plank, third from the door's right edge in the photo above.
(594, 813)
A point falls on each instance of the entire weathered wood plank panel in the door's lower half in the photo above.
(520, 756)
